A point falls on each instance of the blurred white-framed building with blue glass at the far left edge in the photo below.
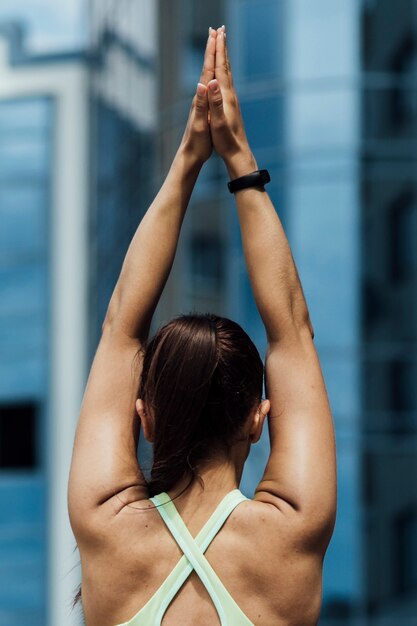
(43, 316)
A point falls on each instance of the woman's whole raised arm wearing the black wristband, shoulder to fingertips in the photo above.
(300, 475)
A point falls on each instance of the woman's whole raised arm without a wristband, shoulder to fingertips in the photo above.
(105, 474)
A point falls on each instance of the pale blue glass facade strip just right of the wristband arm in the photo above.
(321, 181)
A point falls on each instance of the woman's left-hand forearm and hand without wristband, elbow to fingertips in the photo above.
(151, 253)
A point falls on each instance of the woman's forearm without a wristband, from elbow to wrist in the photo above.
(151, 252)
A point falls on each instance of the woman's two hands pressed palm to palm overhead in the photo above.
(215, 118)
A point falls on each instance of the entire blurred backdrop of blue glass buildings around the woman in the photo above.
(328, 94)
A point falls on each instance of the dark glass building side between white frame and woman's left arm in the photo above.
(122, 140)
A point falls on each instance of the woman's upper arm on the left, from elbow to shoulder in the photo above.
(104, 459)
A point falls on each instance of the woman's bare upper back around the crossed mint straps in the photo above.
(259, 555)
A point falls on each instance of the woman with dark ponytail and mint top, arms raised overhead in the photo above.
(196, 390)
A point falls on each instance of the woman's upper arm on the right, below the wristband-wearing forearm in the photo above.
(301, 471)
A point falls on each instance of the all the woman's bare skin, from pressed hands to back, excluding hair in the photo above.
(269, 554)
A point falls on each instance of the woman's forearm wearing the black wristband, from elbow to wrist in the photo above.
(273, 275)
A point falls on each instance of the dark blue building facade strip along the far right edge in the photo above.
(389, 314)
